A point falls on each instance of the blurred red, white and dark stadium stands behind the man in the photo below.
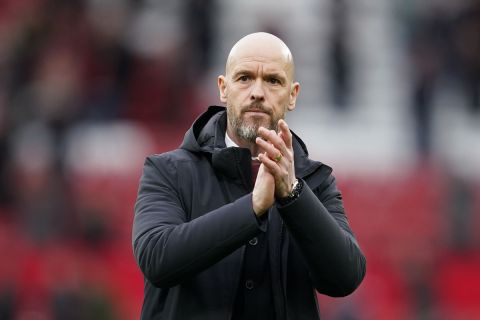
(390, 99)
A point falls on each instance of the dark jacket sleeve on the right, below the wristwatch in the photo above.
(317, 223)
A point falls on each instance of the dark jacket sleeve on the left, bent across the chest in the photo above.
(168, 248)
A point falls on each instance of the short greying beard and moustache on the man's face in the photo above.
(245, 128)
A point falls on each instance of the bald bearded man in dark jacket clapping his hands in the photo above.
(215, 242)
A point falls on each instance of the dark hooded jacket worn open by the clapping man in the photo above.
(194, 214)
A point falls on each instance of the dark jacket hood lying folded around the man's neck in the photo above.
(207, 135)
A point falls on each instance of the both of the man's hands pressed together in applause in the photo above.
(276, 174)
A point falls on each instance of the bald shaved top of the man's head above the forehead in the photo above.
(263, 46)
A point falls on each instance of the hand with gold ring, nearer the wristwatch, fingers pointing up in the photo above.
(278, 157)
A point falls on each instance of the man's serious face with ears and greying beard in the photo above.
(257, 89)
